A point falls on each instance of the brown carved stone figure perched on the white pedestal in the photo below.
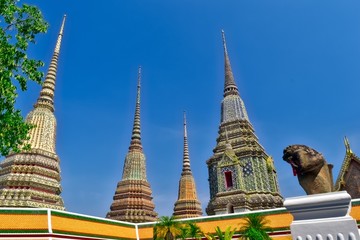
(314, 174)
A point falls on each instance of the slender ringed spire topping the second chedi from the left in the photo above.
(136, 132)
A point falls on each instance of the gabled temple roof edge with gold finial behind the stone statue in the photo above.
(349, 176)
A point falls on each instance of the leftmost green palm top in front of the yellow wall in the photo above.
(167, 228)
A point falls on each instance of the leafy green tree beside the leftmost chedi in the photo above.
(18, 27)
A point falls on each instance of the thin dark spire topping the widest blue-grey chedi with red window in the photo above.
(230, 85)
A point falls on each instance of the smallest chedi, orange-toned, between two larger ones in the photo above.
(187, 204)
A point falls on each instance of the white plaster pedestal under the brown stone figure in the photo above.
(322, 217)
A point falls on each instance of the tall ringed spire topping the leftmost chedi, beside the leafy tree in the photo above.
(46, 98)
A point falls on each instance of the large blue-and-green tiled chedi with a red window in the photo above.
(242, 176)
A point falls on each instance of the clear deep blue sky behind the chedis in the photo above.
(296, 64)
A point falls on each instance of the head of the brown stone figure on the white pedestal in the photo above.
(303, 159)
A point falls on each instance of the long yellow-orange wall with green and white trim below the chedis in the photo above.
(35, 221)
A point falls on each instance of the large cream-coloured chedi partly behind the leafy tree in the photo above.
(32, 178)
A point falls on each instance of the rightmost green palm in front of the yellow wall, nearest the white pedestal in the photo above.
(255, 228)
